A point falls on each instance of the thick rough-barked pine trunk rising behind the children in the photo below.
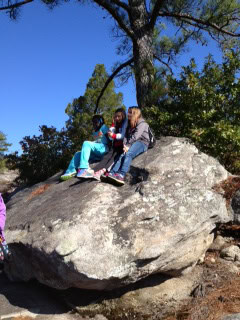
(142, 52)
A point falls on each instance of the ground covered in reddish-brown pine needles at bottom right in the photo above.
(219, 292)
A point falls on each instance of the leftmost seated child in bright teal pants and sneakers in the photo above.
(91, 151)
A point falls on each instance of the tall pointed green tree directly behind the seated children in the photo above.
(81, 110)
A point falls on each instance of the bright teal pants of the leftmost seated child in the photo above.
(91, 151)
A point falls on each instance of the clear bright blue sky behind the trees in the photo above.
(47, 57)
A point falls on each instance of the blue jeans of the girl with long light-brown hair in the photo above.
(124, 161)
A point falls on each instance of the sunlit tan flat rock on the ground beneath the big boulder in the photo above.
(151, 298)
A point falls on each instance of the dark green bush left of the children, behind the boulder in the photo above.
(42, 156)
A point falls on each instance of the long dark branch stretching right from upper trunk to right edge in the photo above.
(188, 19)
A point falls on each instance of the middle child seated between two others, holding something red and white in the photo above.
(116, 134)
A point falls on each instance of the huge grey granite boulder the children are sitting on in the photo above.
(98, 236)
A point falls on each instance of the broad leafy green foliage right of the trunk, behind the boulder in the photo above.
(205, 107)
